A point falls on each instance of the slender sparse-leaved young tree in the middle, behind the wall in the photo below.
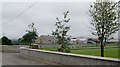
(61, 33)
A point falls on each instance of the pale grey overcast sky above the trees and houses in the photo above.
(44, 14)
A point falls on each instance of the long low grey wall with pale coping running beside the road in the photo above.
(66, 58)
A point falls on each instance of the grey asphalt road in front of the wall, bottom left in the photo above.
(16, 59)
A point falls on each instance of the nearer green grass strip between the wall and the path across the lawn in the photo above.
(113, 52)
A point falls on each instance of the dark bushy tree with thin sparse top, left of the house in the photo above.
(30, 36)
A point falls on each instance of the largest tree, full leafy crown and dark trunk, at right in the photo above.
(104, 20)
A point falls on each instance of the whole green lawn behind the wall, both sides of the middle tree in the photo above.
(110, 51)
